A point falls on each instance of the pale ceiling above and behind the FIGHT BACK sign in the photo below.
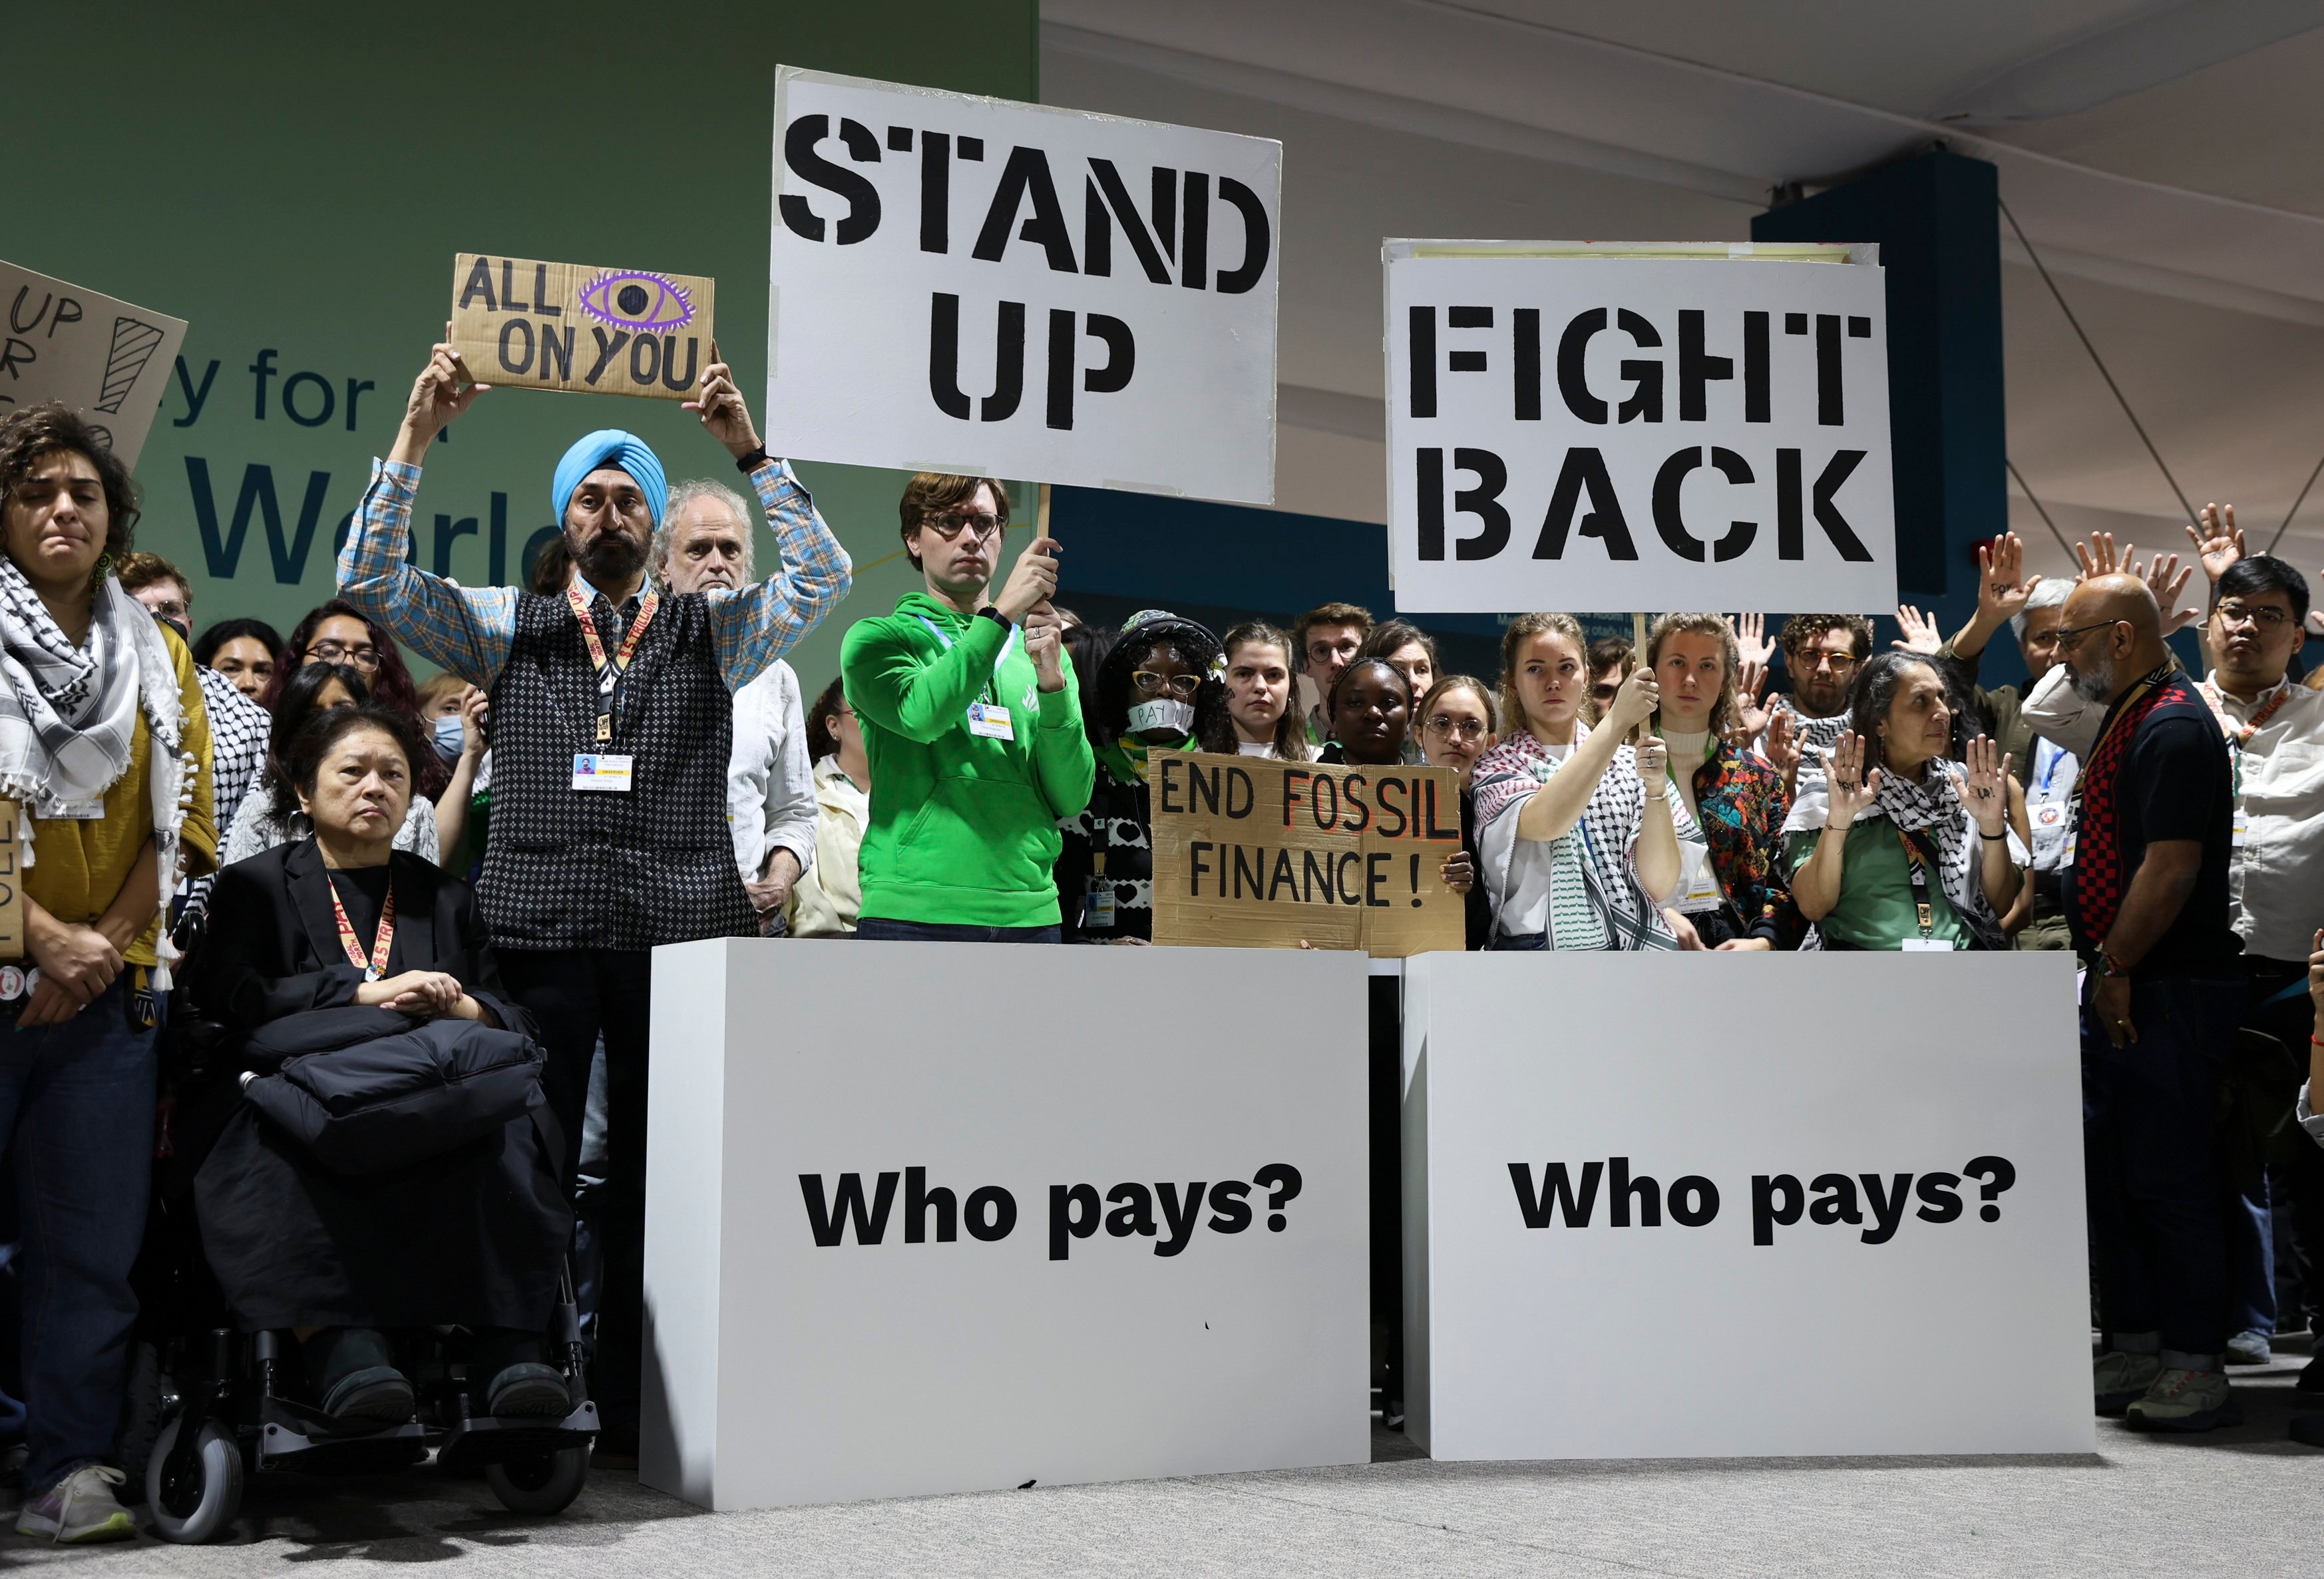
(2160, 157)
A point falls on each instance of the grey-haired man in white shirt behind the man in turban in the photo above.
(705, 541)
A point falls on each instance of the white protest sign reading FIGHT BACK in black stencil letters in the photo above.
(1635, 427)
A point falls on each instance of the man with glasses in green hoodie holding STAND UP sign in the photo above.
(973, 729)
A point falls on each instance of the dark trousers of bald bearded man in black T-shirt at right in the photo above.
(2158, 1203)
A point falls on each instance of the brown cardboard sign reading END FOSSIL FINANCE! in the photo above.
(1263, 855)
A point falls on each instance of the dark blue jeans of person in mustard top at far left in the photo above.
(78, 1113)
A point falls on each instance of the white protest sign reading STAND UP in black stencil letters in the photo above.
(973, 285)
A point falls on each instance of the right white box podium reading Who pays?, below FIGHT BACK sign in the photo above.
(1719, 1206)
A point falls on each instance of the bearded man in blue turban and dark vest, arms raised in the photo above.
(612, 722)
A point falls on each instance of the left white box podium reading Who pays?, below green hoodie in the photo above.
(959, 1217)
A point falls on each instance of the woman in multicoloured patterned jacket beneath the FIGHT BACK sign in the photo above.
(1730, 836)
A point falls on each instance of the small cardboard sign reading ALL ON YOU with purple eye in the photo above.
(582, 327)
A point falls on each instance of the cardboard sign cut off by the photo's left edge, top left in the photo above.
(101, 357)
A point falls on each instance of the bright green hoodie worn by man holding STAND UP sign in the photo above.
(963, 827)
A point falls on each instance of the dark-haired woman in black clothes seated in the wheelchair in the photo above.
(382, 1166)
